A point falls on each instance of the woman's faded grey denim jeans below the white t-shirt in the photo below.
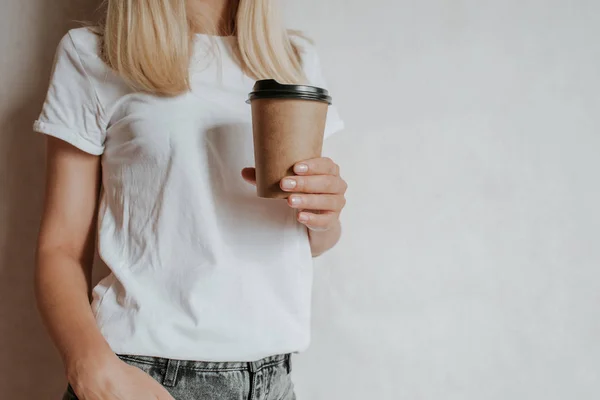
(266, 379)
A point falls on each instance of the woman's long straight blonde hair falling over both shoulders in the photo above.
(149, 42)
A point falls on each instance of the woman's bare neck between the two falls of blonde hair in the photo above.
(213, 17)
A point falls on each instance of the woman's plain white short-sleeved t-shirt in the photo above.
(201, 268)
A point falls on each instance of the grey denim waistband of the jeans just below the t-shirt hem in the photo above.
(207, 366)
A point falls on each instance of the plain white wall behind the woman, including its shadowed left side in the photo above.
(469, 269)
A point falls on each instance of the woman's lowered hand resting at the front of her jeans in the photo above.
(108, 378)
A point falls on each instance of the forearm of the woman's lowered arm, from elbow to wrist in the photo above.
(62, 287)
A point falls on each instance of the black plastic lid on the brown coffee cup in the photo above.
(271, 89)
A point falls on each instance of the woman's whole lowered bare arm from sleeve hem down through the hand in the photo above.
(62, 281)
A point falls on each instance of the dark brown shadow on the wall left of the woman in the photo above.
(30, 366)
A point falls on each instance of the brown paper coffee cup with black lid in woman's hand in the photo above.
(288, 123)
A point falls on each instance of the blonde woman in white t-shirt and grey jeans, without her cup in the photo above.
(209, 290)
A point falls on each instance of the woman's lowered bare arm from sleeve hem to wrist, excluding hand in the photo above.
(66, 250)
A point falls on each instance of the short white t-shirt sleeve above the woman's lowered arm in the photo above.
(72, 111)
